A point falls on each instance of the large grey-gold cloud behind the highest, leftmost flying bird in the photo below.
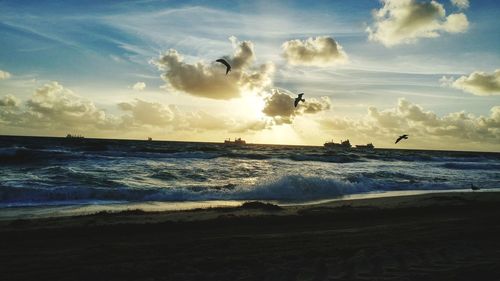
(208, 80)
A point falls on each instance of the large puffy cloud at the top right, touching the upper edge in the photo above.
(404, 21)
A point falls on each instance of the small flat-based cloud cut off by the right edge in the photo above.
(478, 83)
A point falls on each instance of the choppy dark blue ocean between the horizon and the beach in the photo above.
(61, 172)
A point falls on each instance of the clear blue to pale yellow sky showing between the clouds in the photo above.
(100, 50)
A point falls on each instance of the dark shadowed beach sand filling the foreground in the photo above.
(452, 236)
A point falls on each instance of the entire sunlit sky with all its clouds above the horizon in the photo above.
(370, 70)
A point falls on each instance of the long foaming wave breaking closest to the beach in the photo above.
(286, 188)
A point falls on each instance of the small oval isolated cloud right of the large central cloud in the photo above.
(319, 51)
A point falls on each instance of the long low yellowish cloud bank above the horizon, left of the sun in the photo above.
(54, 109)
